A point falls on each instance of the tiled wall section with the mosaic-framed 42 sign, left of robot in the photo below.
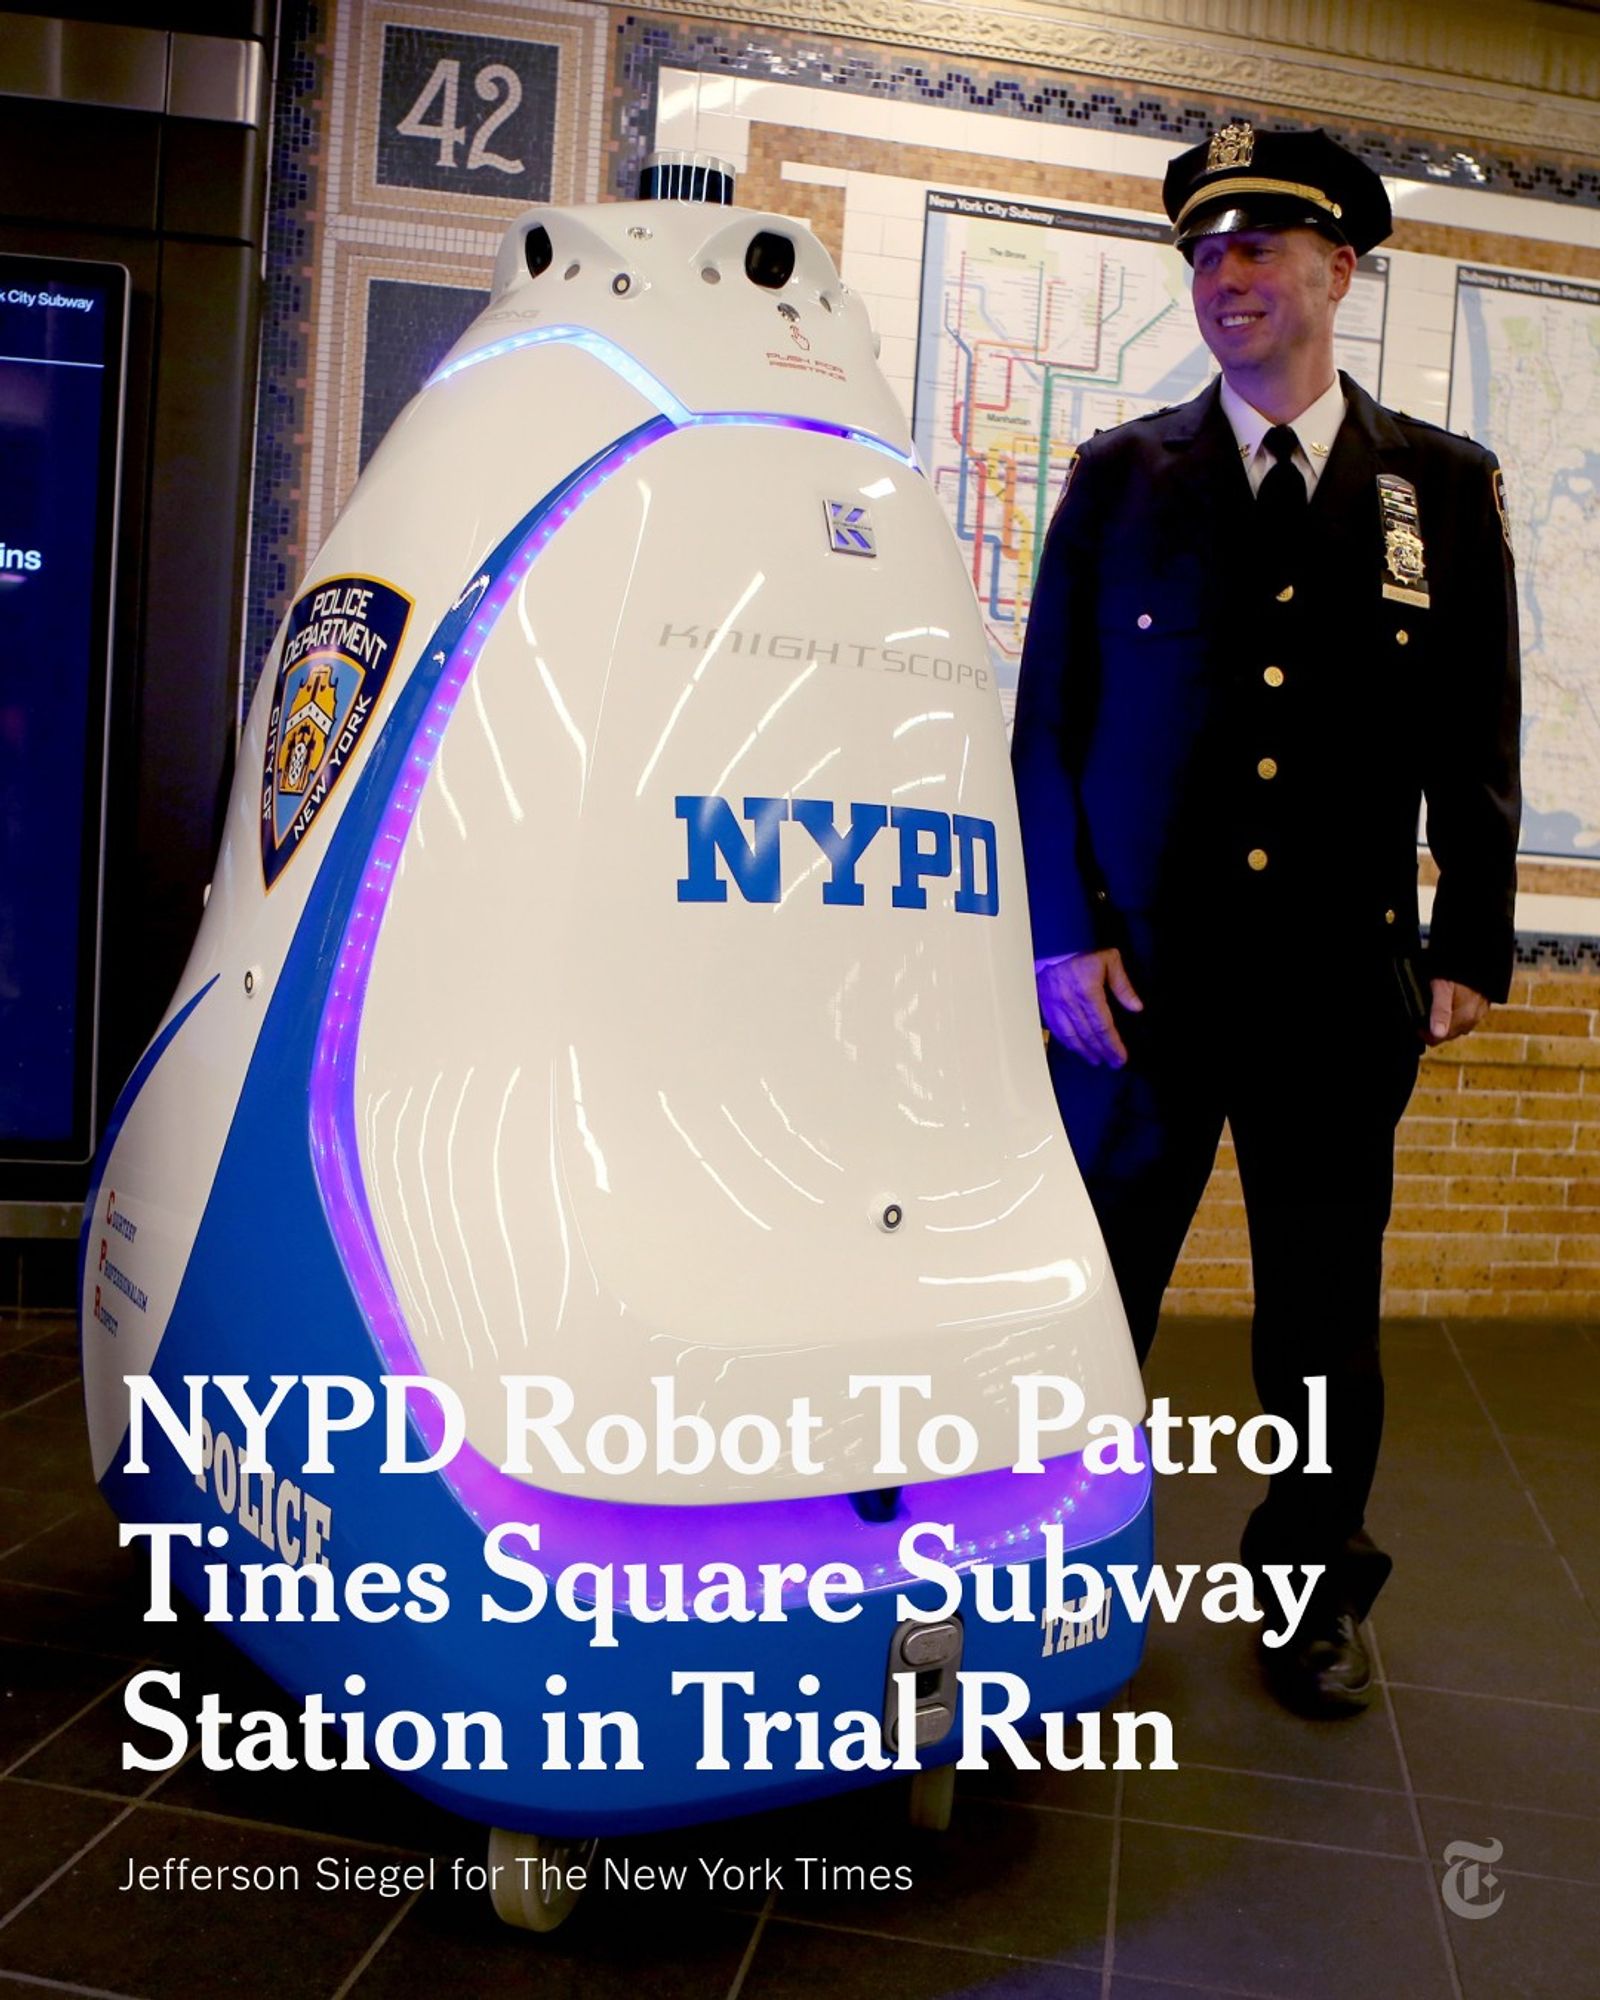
(405, 141)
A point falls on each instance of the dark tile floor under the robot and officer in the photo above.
(1285, 1859)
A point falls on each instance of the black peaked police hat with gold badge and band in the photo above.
(1275, 181)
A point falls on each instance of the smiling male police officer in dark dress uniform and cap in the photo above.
(1269, 627)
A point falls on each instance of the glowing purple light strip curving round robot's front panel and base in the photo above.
(997, 1517)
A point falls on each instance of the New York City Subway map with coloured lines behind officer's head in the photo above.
(1041, 327)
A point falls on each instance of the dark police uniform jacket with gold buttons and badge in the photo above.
(1213, 749)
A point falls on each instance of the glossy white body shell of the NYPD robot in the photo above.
(609, 1131)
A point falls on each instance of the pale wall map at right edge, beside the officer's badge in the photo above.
(1525, 379)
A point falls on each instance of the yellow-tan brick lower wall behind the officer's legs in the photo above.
(1497, 1193)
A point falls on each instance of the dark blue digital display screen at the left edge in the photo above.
(63, 331)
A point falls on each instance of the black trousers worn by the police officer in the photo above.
(1313, 1075)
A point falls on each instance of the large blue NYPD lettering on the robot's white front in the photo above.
(933, 847)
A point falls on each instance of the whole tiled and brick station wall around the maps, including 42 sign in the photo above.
(409, 137)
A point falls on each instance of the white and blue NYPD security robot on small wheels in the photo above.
(617, 981)
